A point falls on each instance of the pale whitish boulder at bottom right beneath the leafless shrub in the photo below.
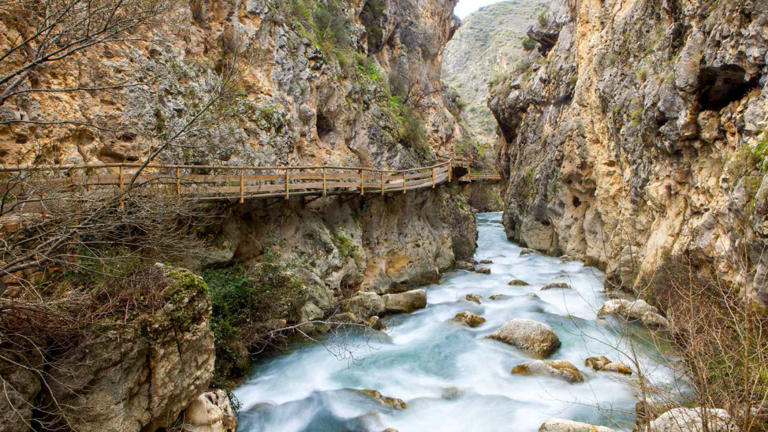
(692, 420)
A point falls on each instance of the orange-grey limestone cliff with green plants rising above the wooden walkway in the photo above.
(303, 81)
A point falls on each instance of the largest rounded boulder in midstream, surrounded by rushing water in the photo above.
(534, 337)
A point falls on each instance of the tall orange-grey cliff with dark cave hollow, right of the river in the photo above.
(638, 139)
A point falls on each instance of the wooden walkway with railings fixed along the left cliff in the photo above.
(216, 182)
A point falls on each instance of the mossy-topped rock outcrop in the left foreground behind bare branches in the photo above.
(137, 377)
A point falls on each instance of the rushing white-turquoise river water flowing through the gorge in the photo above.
(452, 378)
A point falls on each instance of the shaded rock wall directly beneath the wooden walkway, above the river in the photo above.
(342, 246)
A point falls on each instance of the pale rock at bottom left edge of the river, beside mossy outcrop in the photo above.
(210, 412)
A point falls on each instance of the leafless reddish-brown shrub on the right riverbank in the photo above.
(722, 343)
